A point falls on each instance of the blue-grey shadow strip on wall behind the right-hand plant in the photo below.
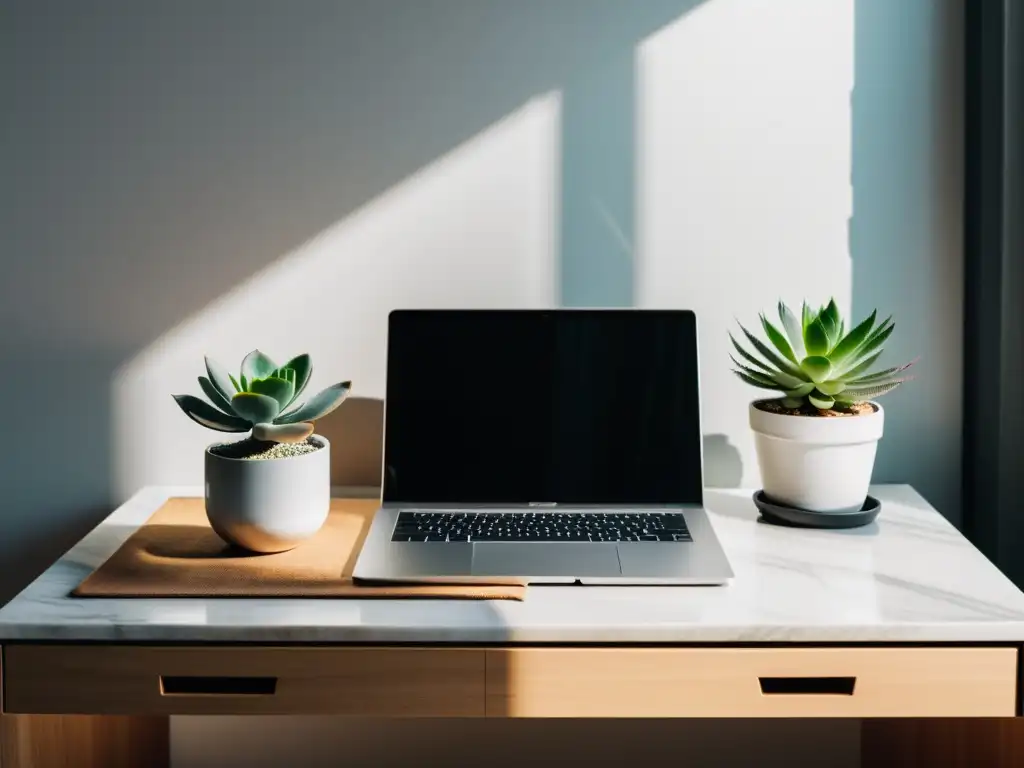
(907, 230)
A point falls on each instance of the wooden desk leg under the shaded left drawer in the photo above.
(84, 742)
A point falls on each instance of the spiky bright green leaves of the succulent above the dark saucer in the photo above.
(816, 363)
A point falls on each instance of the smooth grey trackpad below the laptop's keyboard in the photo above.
(539, 561)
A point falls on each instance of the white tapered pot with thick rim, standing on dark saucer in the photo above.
(820, 464)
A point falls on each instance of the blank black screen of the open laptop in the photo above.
(515, 407)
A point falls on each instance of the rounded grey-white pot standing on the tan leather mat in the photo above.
(269, 505)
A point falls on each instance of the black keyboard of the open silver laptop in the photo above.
(541, 527)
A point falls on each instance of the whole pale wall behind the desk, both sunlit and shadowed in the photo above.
(204, 178)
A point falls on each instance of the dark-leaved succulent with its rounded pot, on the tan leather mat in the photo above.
(273, 490)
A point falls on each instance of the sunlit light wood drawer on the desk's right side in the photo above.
(752, 682)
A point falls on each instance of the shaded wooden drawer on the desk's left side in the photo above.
(209, 680)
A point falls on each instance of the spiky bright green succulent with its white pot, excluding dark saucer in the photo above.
(817, 443)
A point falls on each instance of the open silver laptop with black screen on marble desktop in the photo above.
(542, 447)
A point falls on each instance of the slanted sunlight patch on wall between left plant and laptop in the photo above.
(475, 229)
